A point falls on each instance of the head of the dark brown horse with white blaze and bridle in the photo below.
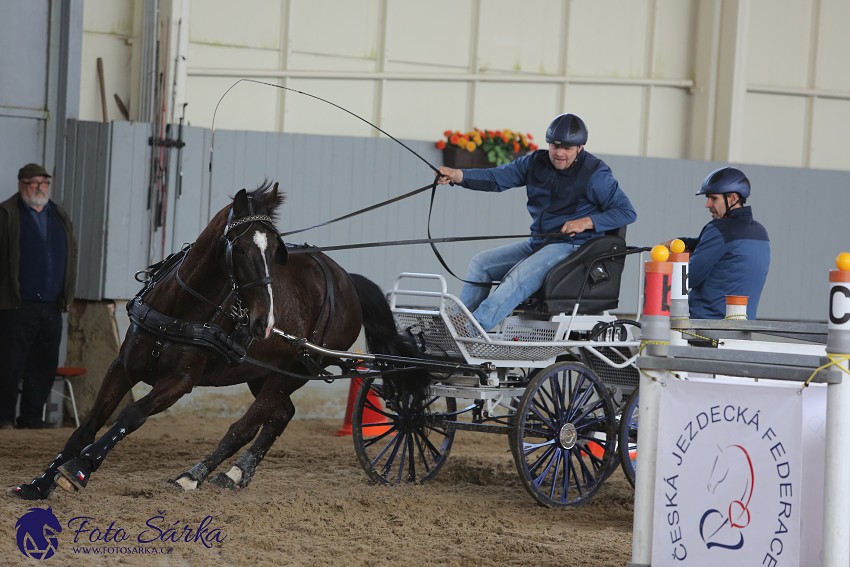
(252, 245)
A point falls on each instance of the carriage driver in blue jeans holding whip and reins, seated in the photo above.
(570, 191)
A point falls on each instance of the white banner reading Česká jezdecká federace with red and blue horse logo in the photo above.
(728, 483)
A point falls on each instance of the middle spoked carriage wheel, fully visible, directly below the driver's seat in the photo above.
(563, 439)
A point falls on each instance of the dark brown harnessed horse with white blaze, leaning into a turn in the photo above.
(205, 318)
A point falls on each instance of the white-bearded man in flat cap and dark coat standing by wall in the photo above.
(38, 258)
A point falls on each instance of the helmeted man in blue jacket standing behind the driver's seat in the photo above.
(731, 256)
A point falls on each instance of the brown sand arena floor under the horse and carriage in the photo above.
(309, 504)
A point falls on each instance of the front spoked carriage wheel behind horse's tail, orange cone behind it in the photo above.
(407, 440)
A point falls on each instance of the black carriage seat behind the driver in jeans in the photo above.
(563, 283)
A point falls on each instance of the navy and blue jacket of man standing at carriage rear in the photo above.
(731, 256)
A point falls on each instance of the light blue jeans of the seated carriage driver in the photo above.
(521, 270)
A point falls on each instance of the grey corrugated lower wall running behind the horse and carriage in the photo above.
(327, 177)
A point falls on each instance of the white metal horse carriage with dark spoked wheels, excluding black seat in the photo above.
(553, 384)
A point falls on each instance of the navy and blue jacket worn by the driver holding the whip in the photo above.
(585, 189)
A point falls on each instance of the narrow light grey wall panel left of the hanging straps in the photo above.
(128, 217)
